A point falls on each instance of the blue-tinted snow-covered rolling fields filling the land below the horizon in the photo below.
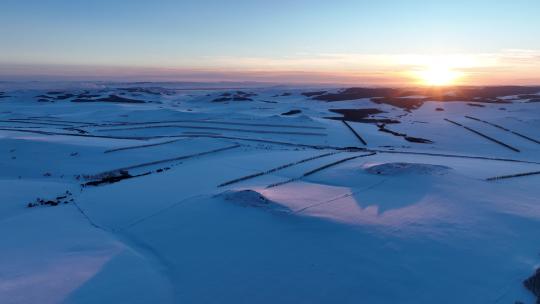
(205, 193)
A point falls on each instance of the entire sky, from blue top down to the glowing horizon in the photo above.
(341, 41)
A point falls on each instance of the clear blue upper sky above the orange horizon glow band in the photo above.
(210, 33)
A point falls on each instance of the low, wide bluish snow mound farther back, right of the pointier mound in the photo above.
(406, 168)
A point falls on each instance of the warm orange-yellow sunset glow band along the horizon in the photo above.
(429, 70)
